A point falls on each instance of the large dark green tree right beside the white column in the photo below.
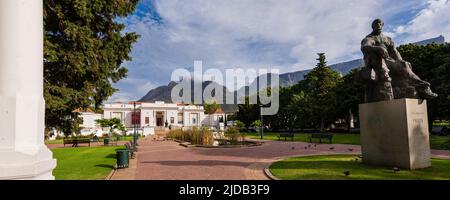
(84, 48)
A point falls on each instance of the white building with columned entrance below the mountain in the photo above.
(148, 116)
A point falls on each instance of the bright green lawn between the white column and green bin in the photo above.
(84, 163)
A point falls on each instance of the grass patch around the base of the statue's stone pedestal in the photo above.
(333, 168)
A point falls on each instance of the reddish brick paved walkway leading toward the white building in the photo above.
(166, 160)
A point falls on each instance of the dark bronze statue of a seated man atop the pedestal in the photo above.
(388, 76)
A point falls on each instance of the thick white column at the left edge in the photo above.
(23, 154)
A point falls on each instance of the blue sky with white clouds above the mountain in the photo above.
(284, 34)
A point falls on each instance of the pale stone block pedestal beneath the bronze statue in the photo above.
(395, 133)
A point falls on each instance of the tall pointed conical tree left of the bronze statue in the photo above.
(321, 83)
